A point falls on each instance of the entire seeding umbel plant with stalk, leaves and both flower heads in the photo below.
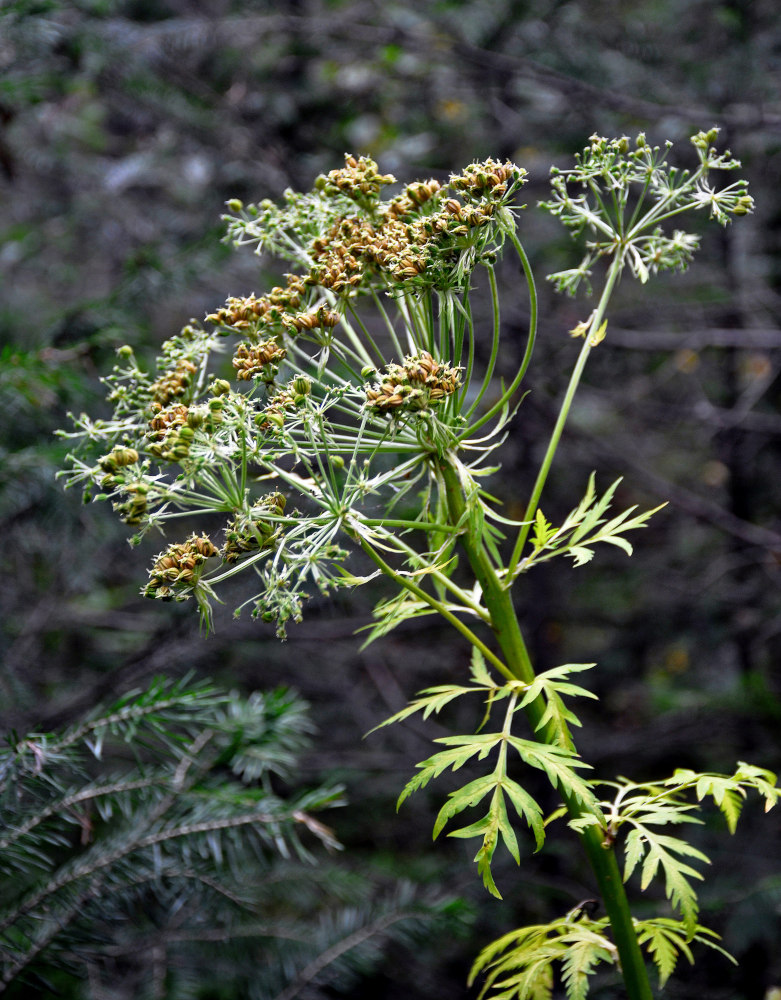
(346, 410)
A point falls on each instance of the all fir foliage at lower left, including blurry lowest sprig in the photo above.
(172, 820)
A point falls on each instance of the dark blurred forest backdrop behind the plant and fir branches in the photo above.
(124, 128)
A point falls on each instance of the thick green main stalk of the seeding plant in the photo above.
(504, 622)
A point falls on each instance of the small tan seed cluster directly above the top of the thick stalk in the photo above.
(418, 384)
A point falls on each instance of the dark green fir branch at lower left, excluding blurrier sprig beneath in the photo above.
(164, 796)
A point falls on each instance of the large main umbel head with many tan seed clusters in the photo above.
(207, 425)
